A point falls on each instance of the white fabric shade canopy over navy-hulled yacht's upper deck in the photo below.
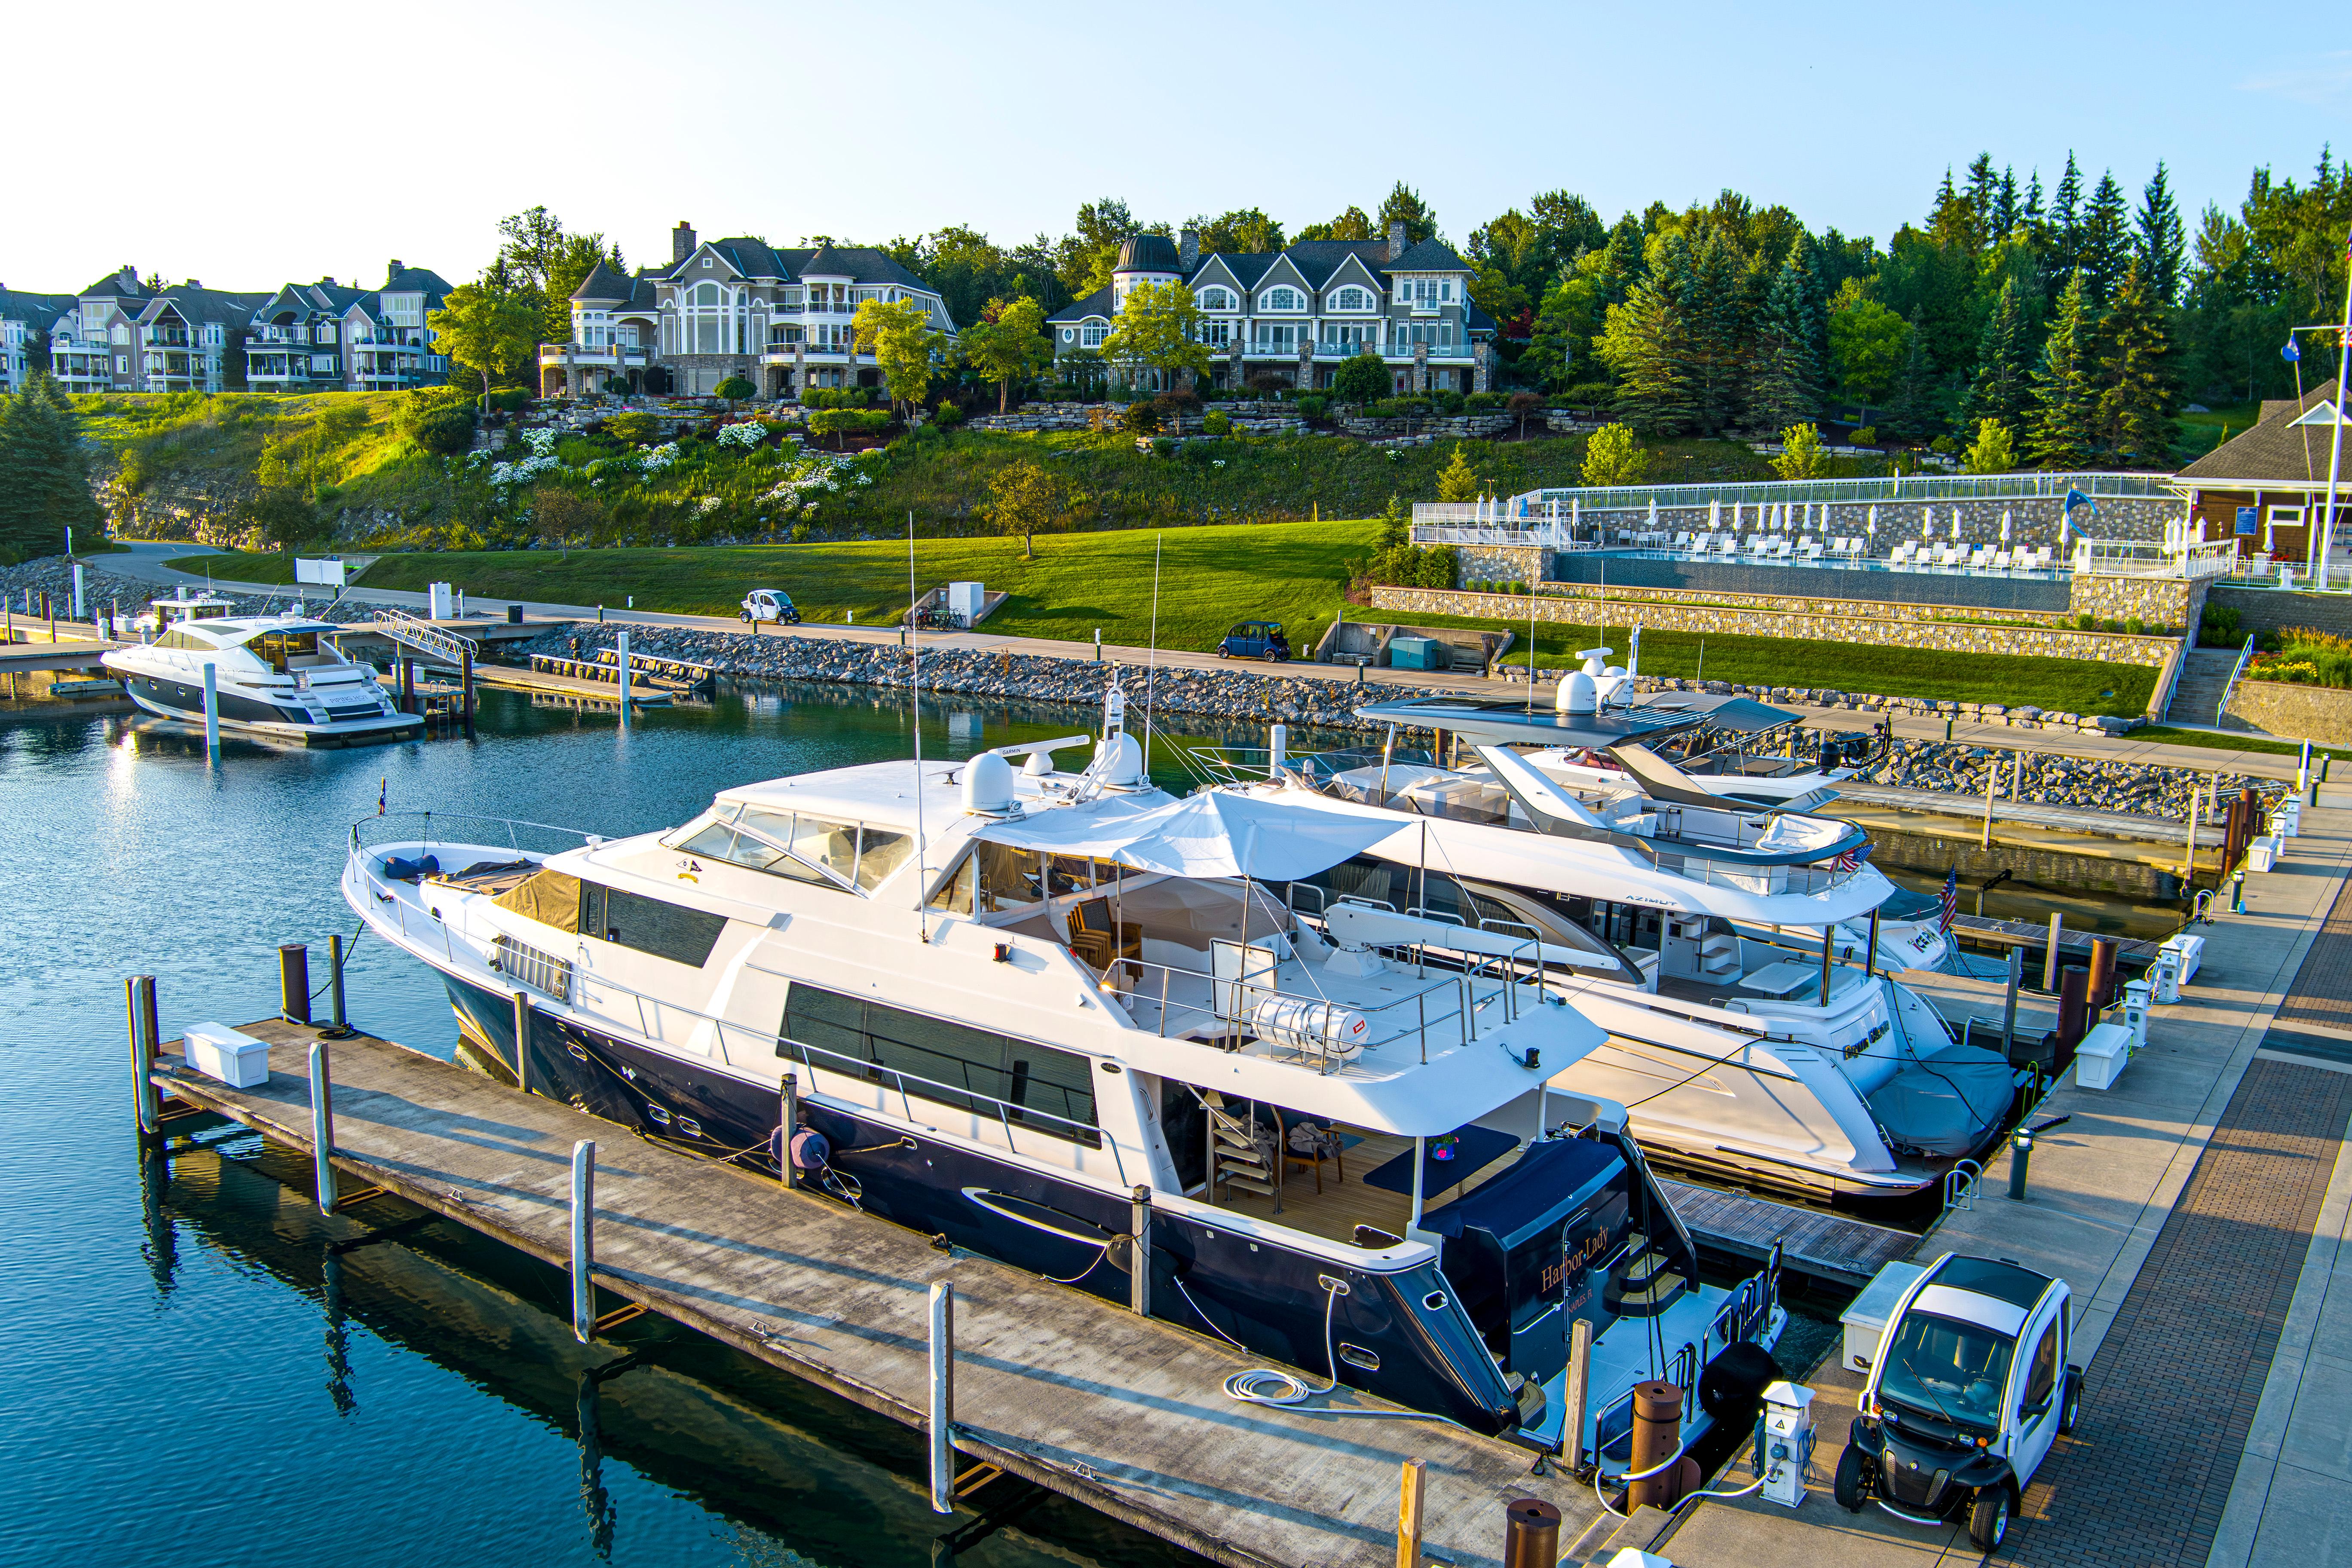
(1205, 836)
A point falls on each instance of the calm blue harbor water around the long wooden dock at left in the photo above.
(189, 1367)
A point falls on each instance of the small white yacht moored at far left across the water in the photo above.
(274, 676)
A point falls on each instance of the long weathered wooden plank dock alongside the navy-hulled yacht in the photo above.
(1060, 1388)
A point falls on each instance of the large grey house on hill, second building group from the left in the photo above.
(777, 319)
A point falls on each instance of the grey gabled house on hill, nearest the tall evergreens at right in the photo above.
(1302, 311)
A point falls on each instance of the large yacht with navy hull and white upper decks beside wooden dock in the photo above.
(1074, 991)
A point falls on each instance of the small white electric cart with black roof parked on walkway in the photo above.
(1970, 1391)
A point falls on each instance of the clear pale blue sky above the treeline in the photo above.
(253, 145)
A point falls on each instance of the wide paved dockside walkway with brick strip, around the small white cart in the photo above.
(2181, 1207)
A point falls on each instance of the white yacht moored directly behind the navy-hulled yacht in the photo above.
(1695, 937)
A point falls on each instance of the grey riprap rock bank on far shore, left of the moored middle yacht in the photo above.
(1248, 697)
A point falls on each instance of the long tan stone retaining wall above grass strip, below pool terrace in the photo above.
(1751, 622)
